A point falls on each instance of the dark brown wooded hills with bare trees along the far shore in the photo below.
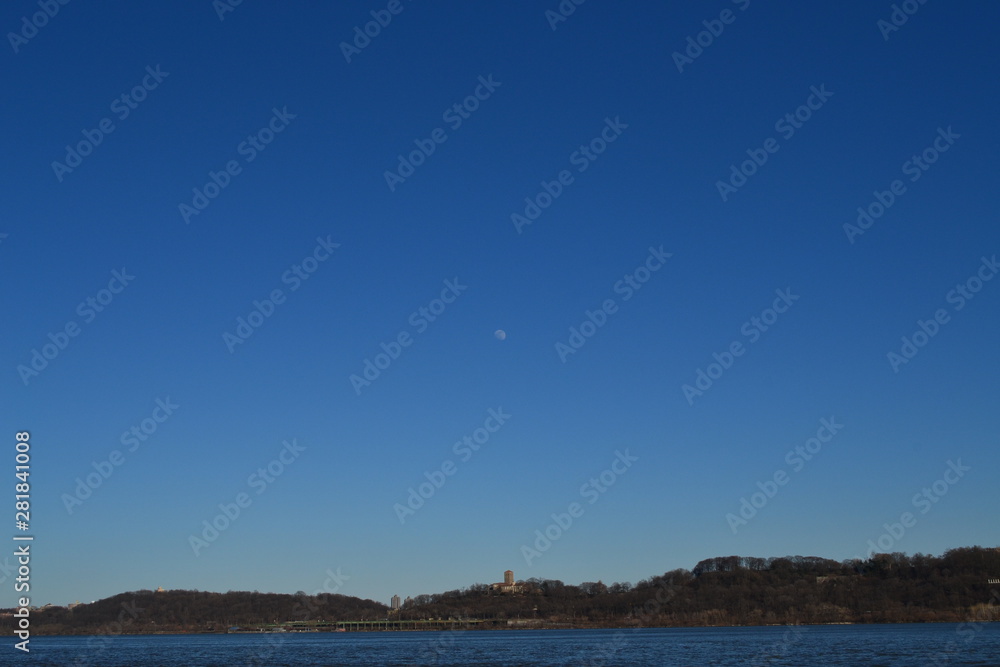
(733, 590)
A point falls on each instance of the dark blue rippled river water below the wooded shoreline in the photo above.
(874, 645)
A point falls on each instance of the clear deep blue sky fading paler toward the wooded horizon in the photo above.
(315, 196)
